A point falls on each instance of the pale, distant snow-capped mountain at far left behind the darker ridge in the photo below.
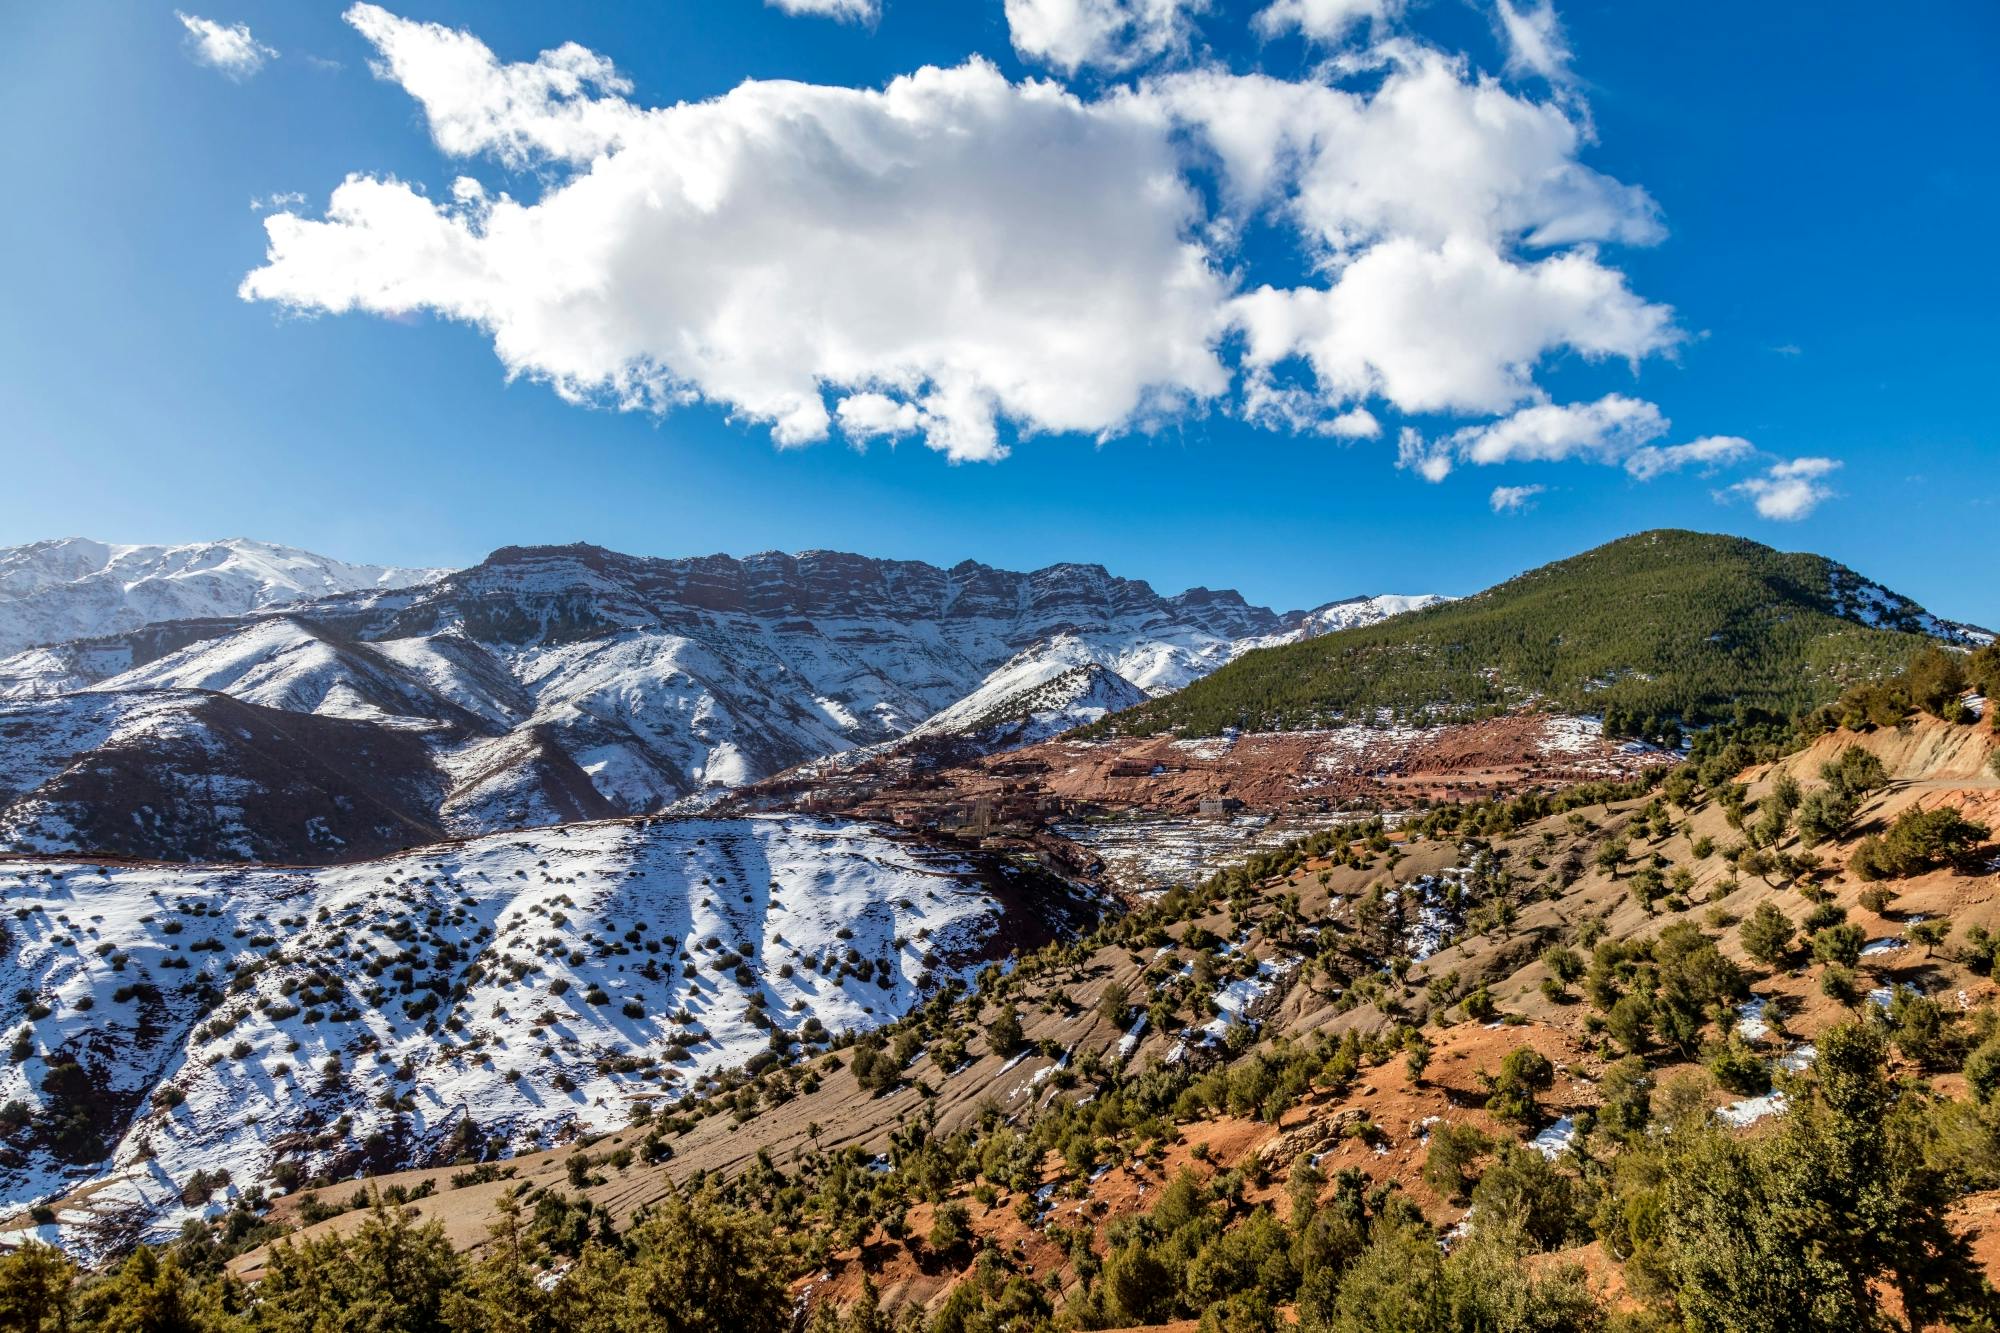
(81, 589)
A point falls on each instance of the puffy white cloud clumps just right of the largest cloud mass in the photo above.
(1415, 199)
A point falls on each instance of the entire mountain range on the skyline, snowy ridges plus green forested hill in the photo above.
(309, 712)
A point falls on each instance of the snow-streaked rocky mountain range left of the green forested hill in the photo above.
(339, 716)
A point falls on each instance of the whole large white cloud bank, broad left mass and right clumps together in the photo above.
(963, 259)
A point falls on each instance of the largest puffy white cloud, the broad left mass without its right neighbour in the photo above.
(789, 239)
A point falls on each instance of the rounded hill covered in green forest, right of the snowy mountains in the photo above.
(1659, 625)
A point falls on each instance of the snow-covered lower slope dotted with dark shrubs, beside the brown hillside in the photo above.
(527, 982)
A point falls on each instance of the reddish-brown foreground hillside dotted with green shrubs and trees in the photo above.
(1649, 1058)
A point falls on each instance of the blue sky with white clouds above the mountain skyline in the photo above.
(1819, 187)
